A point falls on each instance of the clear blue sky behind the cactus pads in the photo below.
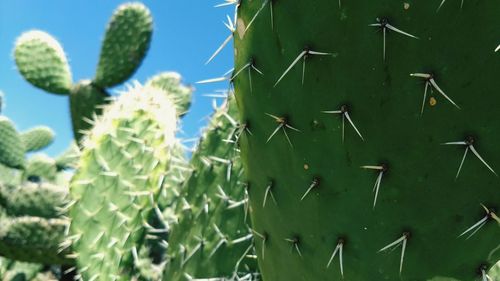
(186, 33)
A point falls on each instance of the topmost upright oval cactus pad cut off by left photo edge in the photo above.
(11, 146)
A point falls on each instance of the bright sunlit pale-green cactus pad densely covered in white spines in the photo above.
(118, 181)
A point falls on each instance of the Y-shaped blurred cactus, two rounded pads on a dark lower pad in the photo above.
(42, 62)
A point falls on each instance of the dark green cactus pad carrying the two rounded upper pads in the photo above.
(86, 100)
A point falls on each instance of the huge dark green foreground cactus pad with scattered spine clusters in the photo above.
(375, 127)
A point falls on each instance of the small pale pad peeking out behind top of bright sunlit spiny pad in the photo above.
(171, 83)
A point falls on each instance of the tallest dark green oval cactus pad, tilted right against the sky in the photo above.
(125, 44)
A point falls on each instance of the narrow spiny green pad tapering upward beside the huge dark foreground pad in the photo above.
(211, 238)
